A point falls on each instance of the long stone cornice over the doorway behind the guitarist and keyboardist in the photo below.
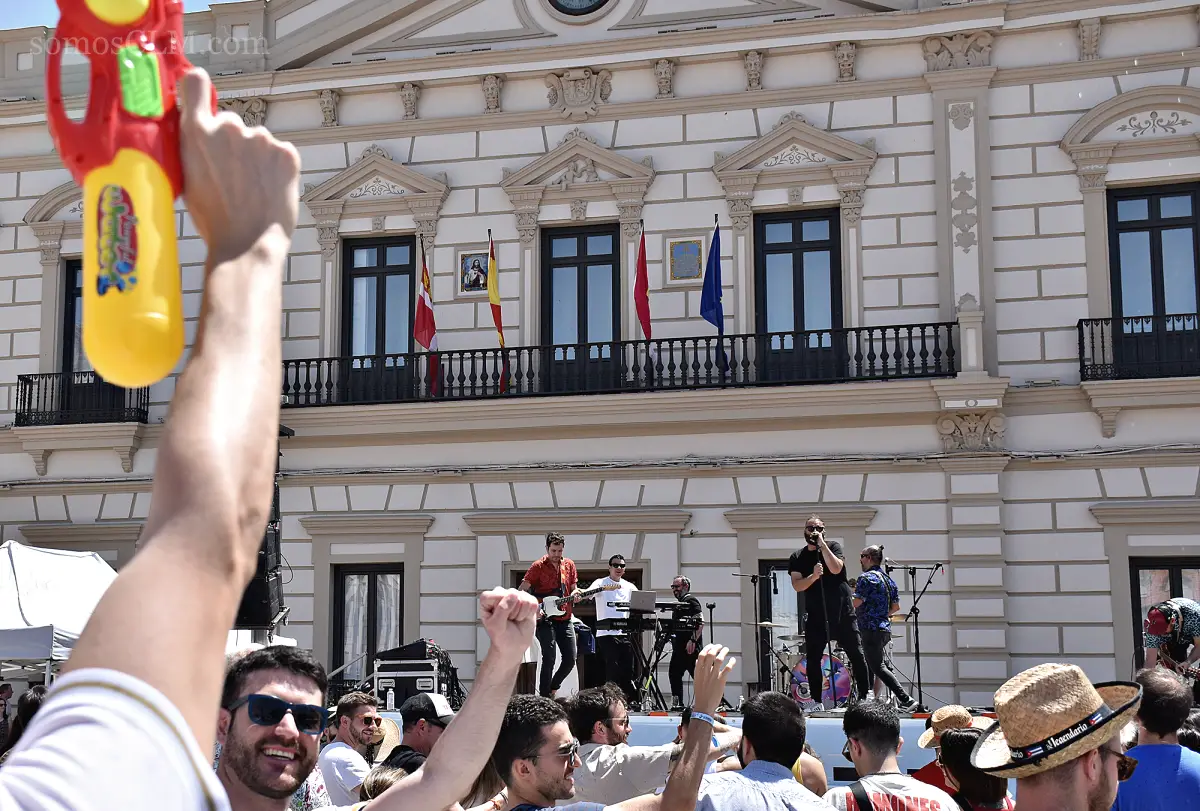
(616, 520)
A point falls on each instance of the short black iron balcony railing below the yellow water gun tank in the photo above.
(75, 399)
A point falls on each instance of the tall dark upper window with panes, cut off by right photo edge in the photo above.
(1154, 254)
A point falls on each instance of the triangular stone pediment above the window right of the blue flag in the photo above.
(795, 143)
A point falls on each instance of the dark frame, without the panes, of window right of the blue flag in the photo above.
(761, 249)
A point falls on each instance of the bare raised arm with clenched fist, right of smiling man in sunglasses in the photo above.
(461, 753)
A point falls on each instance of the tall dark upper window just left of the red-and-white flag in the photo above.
(379, 297)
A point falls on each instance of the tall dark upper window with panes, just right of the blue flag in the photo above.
(799, 274)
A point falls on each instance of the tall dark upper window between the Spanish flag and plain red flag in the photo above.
(583, 285)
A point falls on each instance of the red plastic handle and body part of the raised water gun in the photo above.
(109, 127)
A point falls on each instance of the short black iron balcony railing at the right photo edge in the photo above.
(1139, 347)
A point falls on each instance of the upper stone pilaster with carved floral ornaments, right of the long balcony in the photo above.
(962, 146)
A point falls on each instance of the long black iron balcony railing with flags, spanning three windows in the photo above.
(869, 353)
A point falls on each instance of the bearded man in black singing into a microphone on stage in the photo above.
(827, 606)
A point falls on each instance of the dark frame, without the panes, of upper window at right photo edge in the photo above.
(1155, 225)
